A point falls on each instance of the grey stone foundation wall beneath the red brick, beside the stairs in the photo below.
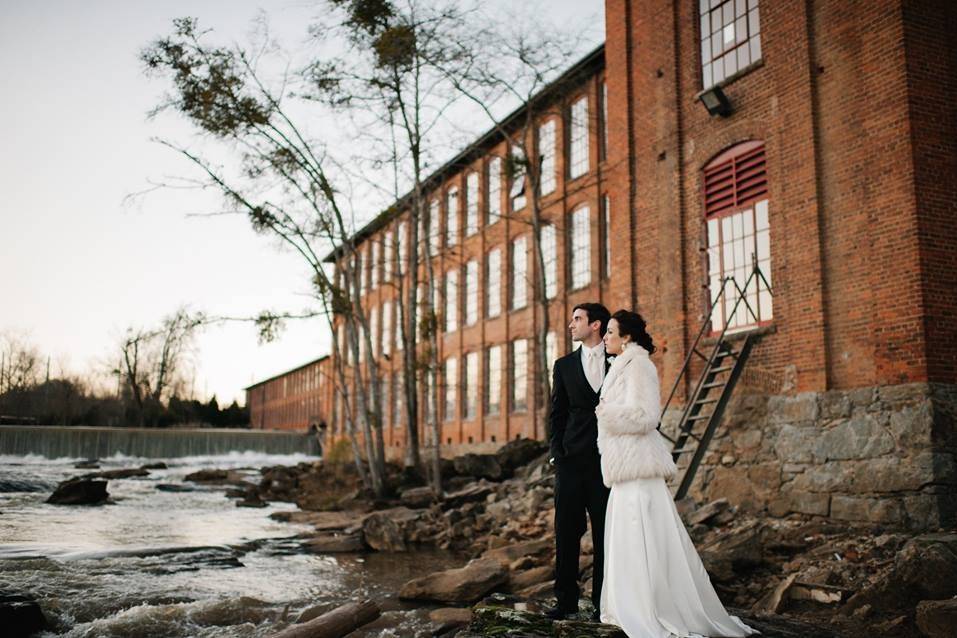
(882, 454)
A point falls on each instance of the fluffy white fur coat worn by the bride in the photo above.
(631, 446)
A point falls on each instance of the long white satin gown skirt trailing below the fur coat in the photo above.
(655, 585)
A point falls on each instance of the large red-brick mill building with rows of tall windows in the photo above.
(833, 166)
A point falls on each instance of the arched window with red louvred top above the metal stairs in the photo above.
(737, 226)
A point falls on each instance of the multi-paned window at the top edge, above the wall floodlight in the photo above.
(730, 38)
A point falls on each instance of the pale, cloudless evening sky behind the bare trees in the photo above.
(77, 264)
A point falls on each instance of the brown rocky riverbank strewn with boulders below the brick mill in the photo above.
(798, 575)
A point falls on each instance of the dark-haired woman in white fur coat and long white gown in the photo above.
(655, 585)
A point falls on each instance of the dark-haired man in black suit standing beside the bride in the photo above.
(573, 440)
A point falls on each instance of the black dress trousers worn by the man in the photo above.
(578, 489)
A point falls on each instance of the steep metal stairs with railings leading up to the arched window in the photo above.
(721, 371)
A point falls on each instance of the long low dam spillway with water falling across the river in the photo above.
(94, 442)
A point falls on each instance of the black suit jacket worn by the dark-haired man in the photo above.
(573, 426)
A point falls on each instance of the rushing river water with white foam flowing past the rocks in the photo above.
(157, 563)
